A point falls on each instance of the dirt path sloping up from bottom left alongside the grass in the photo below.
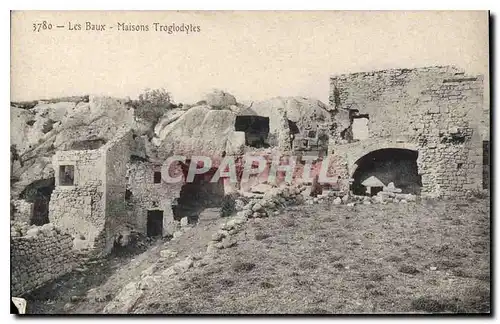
(87, 290)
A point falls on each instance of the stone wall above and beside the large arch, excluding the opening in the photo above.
(440, 110)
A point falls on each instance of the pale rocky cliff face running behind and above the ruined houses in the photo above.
(38, 130)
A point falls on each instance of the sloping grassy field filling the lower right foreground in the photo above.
(427, 257)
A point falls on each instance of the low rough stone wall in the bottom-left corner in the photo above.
(43, 254)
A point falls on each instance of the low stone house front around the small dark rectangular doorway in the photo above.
(146, 195)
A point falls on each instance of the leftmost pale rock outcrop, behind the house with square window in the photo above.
(70, 123)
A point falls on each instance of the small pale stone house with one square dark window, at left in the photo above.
(89, 195)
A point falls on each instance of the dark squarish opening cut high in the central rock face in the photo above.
(256, 130)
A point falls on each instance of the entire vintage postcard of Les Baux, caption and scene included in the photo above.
(250, 162)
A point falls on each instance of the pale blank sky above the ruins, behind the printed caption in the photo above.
(252, 55)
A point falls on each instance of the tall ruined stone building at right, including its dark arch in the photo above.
(430, 124)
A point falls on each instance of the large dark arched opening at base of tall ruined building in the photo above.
(395, 165)
